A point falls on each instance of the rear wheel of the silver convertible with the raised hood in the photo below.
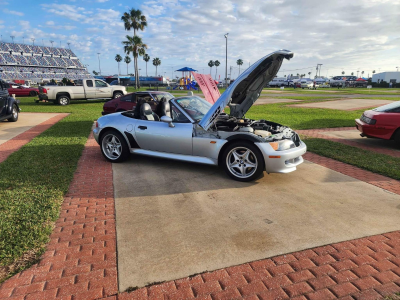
(113, 146)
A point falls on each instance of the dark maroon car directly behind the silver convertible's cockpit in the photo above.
(128, 102)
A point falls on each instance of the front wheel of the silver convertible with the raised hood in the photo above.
(243, 161)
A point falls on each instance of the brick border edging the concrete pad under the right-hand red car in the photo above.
(318, 133)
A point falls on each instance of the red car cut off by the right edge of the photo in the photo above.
(382, 122)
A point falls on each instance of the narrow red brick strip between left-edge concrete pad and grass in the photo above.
(14, 144)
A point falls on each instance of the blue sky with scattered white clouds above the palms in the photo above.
(341, 35)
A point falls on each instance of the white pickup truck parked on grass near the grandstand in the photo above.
(88, 89)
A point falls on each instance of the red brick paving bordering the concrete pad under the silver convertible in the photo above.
(80, 261)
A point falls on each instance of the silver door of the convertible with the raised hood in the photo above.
(159, 136)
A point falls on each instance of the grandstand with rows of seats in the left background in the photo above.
(39, 63)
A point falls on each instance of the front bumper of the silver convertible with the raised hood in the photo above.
(282, 161)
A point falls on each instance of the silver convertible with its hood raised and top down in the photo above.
(193, 130)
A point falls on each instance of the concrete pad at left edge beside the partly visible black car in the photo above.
(26, 121)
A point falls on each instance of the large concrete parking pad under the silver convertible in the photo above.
(176, 219)
